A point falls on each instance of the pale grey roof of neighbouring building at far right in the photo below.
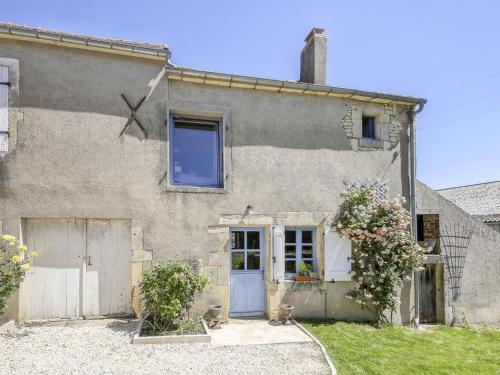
(480, 200)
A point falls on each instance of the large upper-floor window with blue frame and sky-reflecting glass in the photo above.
(195, 152)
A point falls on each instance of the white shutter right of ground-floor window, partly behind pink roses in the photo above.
(337, 256)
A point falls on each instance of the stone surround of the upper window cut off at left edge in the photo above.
(15, 115)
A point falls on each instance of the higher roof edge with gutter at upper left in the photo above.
(123, 47)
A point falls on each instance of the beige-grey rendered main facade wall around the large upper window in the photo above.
(283, 152)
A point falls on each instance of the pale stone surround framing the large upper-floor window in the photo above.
(208, 111)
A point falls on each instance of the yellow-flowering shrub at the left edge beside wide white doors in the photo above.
(14, 262)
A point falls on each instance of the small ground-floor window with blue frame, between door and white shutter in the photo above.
(300, 246)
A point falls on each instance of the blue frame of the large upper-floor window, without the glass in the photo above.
(220, 151)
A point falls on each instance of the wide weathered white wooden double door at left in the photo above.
(62, 283)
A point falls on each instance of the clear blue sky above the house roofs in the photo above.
(446, 51)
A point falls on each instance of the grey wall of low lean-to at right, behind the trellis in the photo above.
(480, 296)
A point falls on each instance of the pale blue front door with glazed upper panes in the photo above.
(247, 286)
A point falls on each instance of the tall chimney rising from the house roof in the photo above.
(313, 58)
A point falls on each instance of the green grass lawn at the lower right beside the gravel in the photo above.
(362, 349)
